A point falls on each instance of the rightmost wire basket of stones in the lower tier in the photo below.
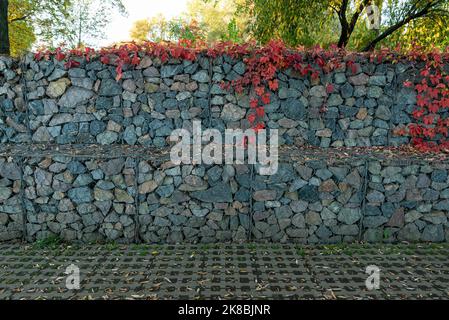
(407, 202)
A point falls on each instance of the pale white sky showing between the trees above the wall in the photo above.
(119, 28)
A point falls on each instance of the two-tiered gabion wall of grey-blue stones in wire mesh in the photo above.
(85, 157)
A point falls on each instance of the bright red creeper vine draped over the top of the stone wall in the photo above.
(428, 132)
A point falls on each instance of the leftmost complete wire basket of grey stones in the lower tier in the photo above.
(80, 199)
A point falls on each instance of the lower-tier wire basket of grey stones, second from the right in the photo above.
(309, 201)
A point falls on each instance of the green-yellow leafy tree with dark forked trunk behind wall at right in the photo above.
(304, 22)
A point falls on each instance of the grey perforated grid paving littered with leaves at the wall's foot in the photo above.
(249, 271)
